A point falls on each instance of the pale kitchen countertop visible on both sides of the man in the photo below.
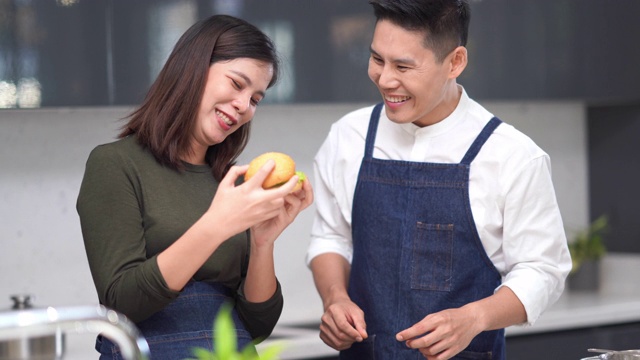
(616, 302)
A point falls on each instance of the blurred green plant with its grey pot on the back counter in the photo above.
(587, 249)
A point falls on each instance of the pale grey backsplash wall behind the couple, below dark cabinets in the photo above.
(42, 156)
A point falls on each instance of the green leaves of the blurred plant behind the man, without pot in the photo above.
(589, 243)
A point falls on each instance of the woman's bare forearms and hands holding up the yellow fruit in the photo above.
(234, 209)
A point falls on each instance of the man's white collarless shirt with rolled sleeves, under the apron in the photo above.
(511, 192)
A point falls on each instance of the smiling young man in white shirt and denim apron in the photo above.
(437, 225)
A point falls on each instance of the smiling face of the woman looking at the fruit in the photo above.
(232, 92)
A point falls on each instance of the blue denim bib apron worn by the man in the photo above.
(416, 250)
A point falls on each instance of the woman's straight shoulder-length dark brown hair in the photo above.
(165, 121)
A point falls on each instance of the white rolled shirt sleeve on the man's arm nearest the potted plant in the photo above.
(536, 256)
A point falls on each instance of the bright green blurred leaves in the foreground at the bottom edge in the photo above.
(225, 342)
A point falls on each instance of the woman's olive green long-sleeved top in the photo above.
(132, 208)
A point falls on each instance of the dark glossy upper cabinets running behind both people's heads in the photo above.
(108, 52)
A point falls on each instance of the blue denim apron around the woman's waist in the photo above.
(185, 323)
